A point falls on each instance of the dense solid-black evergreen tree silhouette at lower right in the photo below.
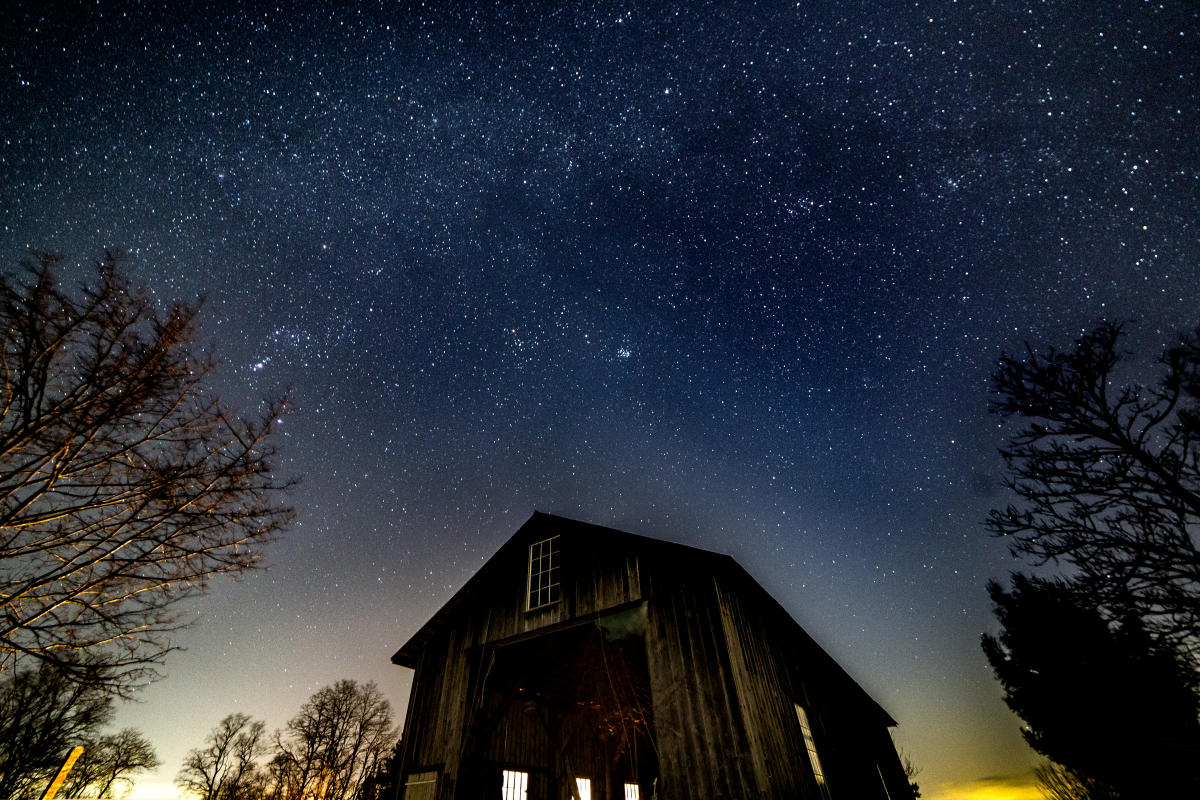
(1102, 700)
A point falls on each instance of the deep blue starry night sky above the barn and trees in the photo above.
(731, 274)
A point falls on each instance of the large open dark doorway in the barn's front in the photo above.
(569, 709)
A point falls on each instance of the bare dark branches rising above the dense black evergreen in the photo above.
(1108, 478)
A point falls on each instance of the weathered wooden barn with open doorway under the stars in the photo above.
(591, 664)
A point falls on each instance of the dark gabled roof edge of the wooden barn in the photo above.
(542, 525)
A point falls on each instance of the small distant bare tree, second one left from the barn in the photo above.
(227, 767)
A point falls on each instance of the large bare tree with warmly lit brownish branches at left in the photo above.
(125, 485)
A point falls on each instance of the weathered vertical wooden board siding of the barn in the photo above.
(724, 664)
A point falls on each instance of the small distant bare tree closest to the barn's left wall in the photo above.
(340, 738)
